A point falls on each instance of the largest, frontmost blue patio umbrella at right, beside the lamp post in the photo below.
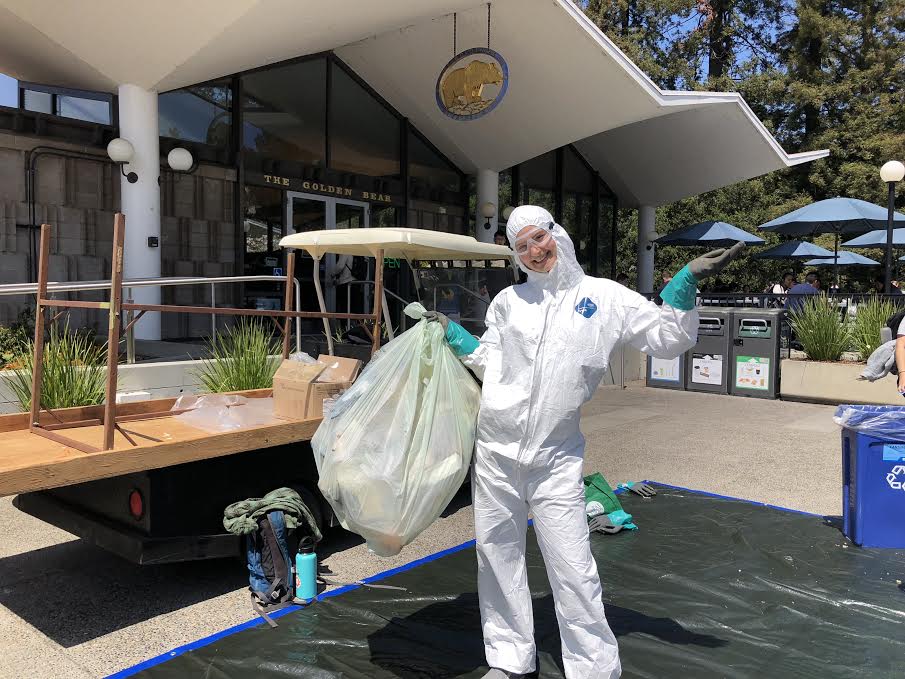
(834, 215)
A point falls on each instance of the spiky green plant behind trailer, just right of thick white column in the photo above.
(241, 358)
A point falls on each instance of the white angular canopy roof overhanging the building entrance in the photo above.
(568, 82)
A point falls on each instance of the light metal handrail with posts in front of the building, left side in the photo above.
(12, 289)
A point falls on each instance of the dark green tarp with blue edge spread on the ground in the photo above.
(708, 587)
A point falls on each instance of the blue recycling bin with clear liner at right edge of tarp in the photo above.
(873, 475)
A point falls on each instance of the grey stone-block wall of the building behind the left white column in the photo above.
(78, 197)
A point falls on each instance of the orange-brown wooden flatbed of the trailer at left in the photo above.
(29, 462)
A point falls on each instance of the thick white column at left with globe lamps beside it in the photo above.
(141, 200)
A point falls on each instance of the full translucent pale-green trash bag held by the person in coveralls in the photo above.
(394, 449)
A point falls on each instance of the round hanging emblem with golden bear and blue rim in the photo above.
(472, 84)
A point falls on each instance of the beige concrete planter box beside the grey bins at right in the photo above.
(835, 383)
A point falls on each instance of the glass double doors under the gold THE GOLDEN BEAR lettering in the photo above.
(311, 212)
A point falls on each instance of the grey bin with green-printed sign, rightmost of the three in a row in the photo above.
(754, 369)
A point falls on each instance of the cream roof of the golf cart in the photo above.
(397, 242)
